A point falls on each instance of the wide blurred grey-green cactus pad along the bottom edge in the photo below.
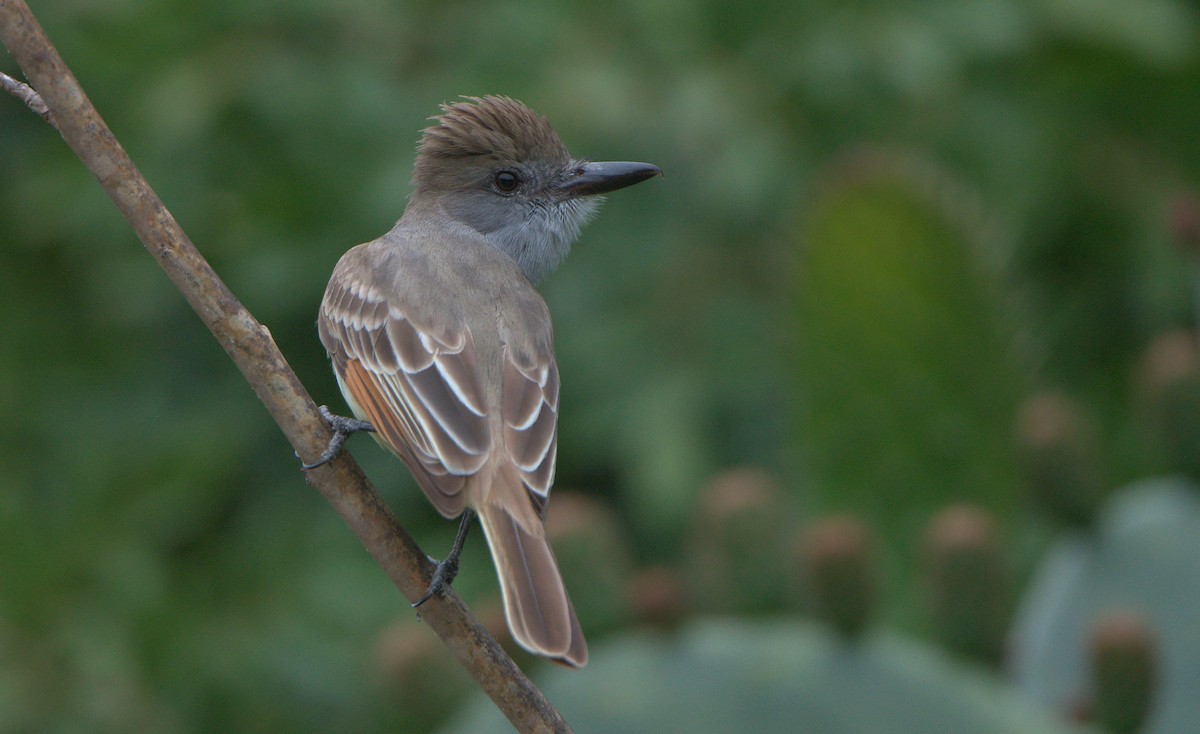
(729, 676)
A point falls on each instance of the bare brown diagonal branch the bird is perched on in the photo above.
(253, 350)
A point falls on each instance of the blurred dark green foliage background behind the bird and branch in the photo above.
(883, 227)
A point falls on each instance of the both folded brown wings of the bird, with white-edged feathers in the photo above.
(423, 390)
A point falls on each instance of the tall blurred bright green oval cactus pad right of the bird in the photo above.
(903, 350)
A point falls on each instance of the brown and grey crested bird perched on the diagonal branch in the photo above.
(443, 348)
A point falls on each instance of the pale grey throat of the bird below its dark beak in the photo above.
(542, 239)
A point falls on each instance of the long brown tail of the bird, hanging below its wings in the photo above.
(541, 616)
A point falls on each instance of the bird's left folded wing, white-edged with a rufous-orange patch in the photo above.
(422, 393)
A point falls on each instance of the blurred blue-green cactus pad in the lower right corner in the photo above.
(1142, 559)
